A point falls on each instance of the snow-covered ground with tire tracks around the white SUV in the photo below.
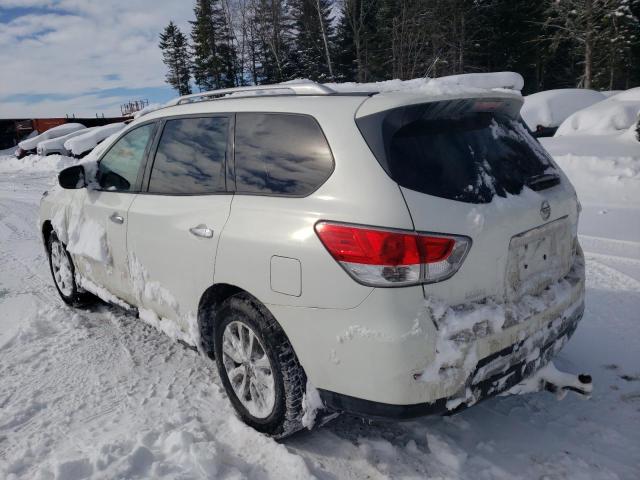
(99, 394)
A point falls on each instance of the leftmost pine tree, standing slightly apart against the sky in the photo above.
(175, 56)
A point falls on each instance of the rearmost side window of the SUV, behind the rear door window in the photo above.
(280, 154)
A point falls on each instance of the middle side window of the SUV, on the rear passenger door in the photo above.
(190, 157)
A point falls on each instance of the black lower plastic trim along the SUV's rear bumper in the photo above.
(480, 386)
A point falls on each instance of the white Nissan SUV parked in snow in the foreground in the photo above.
(396, 253)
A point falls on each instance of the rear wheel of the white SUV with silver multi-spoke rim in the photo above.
(278, 414)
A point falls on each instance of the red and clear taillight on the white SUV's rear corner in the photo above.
(379, 257)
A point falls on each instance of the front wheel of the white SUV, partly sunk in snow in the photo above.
(63, 273)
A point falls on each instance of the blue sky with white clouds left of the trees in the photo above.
(83, 57)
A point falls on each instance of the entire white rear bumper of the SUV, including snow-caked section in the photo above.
(401, 352)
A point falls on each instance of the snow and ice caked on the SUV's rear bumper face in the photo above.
(487, 347)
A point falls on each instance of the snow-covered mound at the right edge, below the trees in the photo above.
(613, 115)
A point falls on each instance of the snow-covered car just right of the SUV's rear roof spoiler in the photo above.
(543, 112)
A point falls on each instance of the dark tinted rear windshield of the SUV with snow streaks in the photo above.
(458, 153)
